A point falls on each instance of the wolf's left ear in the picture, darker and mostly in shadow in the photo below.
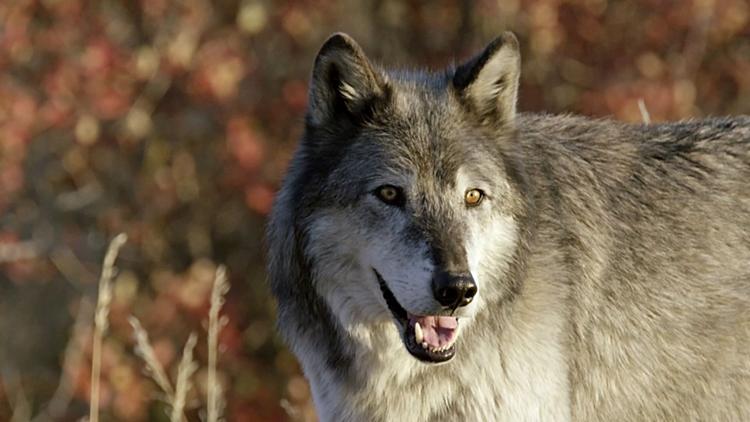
(343, 81)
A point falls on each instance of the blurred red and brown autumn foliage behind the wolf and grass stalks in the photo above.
(173, 121)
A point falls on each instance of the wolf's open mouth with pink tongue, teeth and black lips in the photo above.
(429, 338)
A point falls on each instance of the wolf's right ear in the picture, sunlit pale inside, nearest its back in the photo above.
(489, 81)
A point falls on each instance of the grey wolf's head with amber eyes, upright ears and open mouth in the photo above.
(401, 203)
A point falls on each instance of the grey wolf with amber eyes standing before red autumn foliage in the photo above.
(438, 256)
